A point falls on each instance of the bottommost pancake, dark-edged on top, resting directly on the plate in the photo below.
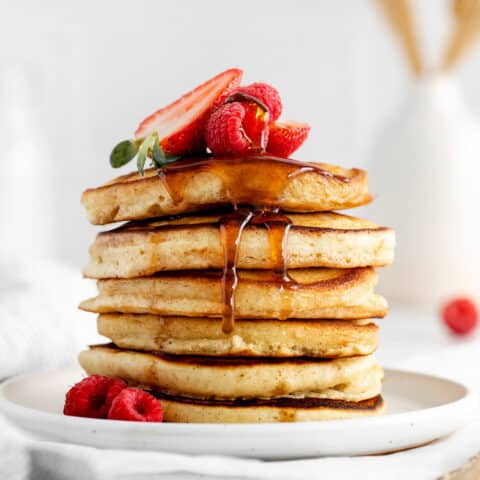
(178, 409)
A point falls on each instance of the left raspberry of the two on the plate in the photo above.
(92, 397)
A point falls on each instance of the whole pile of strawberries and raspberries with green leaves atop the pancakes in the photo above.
(218, 115)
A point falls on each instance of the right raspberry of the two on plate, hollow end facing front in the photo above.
(135, 405)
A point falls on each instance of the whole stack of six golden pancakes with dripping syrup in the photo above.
(235, 294)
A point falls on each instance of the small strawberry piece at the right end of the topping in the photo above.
(286, 137)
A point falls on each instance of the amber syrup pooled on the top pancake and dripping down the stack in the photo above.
(244, 181)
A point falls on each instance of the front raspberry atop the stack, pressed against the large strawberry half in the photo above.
(224, 133)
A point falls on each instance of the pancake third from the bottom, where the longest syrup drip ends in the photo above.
(203, 336)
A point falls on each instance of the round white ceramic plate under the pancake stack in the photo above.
(420, 408)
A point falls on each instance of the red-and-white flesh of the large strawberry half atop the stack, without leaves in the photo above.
(180, 125)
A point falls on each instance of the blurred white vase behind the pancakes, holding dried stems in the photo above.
(425, 173)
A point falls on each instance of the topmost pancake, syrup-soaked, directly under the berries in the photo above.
(196, 184)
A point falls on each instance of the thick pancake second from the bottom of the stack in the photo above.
(349, 379)
